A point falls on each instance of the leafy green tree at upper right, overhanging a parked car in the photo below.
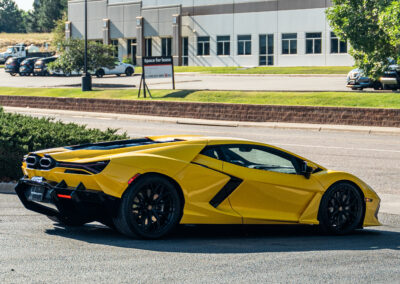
(361, 23)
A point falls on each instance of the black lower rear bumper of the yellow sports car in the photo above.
(60, 200)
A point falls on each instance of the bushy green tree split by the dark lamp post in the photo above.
(72, 58)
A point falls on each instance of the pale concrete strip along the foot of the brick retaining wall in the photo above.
(193, 121)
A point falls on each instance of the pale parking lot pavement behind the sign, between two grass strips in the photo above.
(193, 81)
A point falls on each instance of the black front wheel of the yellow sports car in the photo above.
(341, 209)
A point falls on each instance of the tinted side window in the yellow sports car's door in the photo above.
(258, 157)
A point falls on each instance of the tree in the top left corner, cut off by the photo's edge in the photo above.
(11, 18)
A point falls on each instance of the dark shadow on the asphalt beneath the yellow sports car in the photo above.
(224, 239)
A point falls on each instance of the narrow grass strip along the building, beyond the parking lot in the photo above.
(261, 70)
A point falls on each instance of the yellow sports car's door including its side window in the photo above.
(272, 187)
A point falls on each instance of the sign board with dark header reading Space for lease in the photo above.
(158, 67)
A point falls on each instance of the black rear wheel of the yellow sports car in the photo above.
(150, 209)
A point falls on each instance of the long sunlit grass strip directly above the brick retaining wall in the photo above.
(345, 99)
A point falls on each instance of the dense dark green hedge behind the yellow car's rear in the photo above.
(21, 134)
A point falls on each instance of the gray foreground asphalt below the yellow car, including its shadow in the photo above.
(34, 250)
